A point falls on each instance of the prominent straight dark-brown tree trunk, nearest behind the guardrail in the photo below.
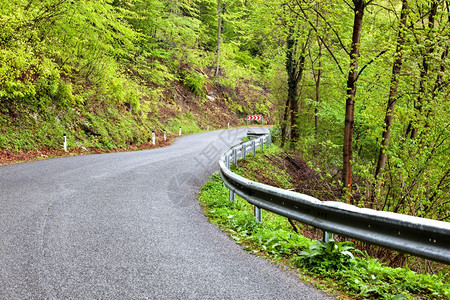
(351, 92)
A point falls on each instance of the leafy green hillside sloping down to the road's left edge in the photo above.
(107, 74)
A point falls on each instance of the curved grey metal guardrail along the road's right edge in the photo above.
(426, 238)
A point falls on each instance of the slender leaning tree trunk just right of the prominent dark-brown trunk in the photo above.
(393, 90)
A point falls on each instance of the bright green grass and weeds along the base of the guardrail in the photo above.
(336, 267)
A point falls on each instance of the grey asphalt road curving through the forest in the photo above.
(127, 226)
